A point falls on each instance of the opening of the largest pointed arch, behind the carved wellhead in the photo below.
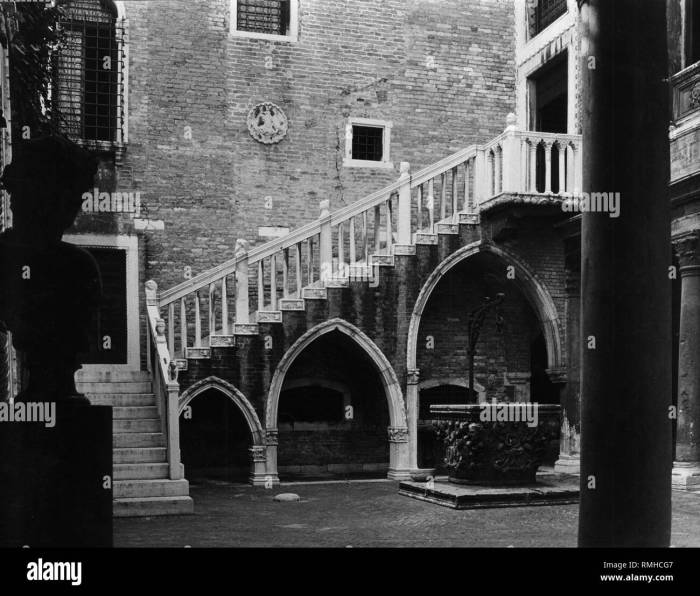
(510, 360)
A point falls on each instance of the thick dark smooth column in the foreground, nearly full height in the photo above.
(625, 287)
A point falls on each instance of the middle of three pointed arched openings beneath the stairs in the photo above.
(333, 413)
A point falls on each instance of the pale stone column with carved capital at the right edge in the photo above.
(686, 468)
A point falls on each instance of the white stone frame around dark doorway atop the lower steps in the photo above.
(130, 244)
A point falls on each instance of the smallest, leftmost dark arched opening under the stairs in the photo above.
(214, 439)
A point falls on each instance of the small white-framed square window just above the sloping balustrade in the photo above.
(367, 143)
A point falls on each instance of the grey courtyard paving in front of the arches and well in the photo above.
(364, 514)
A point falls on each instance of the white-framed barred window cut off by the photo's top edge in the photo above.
(264, 19)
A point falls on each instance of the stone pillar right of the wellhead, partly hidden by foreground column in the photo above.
(569, 461)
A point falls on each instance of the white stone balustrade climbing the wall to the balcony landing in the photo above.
(352, 241)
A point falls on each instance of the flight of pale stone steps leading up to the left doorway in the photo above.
(141, 483)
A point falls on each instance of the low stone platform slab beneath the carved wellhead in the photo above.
(550, 489)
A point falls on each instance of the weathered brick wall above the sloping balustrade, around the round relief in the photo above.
(441, 71)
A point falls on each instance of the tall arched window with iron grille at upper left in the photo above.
(90, 73)
